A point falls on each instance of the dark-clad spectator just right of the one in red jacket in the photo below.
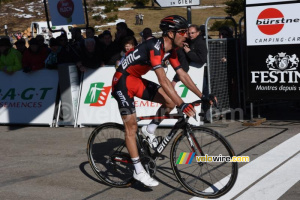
(52, 61)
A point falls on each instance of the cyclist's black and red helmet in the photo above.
(173, 22)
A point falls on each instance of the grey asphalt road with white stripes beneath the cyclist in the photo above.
(51, 163)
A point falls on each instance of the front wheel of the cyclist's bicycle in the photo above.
(204, 179)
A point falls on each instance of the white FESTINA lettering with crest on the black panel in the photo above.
(282, 69)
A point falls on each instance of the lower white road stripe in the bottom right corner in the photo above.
(277, 183)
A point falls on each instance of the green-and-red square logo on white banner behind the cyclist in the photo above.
(97, 95)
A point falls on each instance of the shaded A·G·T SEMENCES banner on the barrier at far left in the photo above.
(28, 98)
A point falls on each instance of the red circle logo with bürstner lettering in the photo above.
(271, 21)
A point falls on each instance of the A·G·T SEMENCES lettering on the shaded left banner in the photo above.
(26, 98)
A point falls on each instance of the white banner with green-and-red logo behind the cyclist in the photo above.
(97, 106)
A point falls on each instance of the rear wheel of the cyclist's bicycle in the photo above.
(108, 155)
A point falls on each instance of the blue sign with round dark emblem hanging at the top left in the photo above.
(66, 12)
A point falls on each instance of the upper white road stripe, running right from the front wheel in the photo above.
(262, 165)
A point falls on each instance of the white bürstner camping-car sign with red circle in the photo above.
(273, 24)
